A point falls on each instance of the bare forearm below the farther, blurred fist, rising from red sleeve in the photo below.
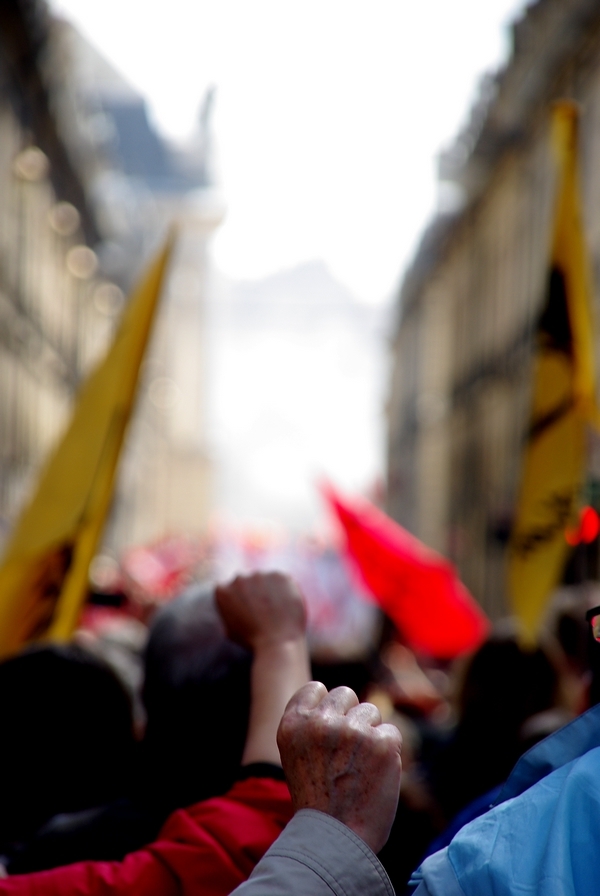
(278, 670)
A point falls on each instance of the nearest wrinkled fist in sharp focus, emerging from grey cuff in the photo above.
(339, 758)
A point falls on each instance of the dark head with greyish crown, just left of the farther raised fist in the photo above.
(197, 696)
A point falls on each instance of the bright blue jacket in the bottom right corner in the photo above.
(542, 837)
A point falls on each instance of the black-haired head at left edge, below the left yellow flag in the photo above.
(66, 737)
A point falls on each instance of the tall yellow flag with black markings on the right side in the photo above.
(563, 398)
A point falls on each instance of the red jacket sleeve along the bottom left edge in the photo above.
(205, 850)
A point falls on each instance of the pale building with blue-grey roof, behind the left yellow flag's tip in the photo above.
(141, 184)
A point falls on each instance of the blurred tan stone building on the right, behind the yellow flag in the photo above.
(468, 306)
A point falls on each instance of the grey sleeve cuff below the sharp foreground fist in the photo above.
(317, 856)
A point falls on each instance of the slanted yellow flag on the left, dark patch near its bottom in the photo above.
(44, 574)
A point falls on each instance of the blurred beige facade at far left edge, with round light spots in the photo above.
(51, 327)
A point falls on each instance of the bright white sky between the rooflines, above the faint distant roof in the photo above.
(329, 114)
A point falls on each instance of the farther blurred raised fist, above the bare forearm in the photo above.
(262, 609)
